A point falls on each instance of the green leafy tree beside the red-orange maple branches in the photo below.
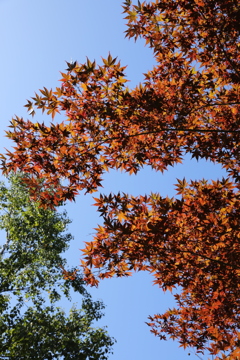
(33, 277)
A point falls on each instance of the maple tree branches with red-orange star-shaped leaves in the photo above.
(187, 104)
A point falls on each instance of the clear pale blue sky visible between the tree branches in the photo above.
(37, 37)
